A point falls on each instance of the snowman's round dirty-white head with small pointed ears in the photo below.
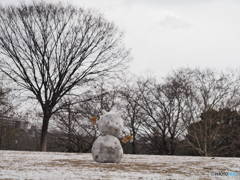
(110, 123)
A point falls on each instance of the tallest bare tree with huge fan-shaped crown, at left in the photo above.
(49, 50)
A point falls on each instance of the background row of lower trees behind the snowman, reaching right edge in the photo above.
(192, 111)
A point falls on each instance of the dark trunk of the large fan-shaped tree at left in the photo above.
(43, 140)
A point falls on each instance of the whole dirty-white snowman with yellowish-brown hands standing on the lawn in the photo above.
(107, 147)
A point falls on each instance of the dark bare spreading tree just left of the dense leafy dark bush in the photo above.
(164, 103)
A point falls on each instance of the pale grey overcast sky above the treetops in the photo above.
(169, 34)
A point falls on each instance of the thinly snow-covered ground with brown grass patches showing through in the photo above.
(49, 165)
